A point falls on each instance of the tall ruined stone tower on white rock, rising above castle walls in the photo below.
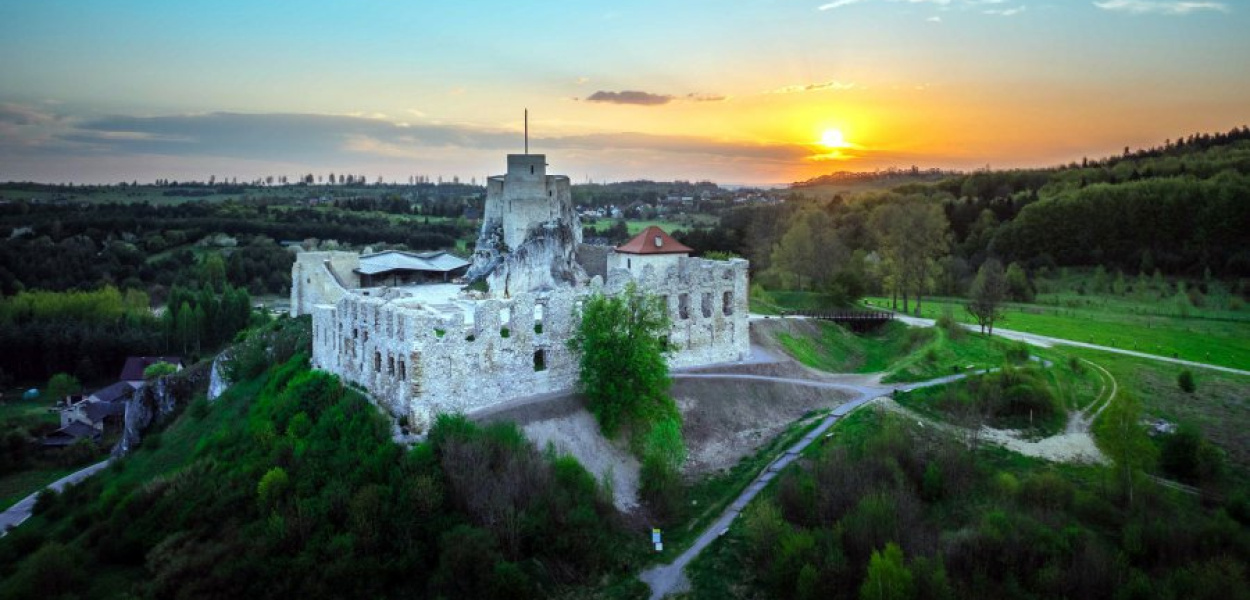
(529, 233)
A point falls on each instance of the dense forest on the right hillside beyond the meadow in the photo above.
(1179, 209)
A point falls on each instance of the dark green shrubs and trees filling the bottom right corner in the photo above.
(896, 512)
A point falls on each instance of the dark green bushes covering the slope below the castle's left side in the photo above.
(313, 499)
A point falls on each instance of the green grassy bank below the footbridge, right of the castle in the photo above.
(906, 354)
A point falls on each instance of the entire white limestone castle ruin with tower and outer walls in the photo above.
(421, 351)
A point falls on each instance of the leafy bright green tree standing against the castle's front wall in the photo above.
(623, 374)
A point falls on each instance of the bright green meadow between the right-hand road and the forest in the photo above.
(1216, 338)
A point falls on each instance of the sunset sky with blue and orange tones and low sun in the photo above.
(747, 92)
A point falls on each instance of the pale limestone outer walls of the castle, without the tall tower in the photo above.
(418, 363)
